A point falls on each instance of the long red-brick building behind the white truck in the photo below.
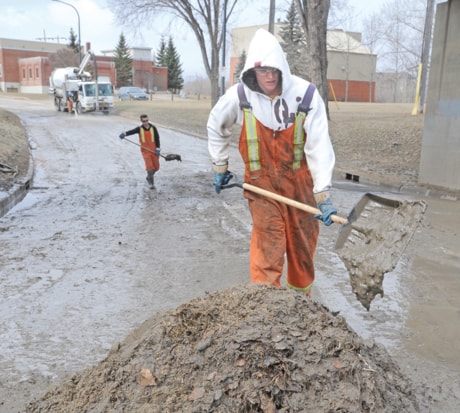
(25, 67)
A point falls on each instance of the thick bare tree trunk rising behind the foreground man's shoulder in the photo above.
(313, 16)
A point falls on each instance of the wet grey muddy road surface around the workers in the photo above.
(91, 252)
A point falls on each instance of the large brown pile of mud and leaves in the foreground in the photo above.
(251, 348)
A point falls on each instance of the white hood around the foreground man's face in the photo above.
(264, 50)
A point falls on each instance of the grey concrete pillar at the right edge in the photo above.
(440, 156)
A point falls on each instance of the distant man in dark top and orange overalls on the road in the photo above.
(149, 140)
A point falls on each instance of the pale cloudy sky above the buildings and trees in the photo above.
(39, 19)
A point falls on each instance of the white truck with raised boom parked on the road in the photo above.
(85, 94)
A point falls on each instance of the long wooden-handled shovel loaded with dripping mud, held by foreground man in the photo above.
(371, 239)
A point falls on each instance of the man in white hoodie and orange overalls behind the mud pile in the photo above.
(284, 152)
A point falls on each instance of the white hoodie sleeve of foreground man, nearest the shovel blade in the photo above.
(318, 148)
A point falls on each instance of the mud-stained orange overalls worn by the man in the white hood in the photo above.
(279, 228)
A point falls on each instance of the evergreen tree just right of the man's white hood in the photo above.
(293, 42)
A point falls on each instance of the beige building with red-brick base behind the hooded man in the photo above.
(351, 65)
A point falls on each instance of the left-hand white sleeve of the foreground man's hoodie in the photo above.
(222, 117)
